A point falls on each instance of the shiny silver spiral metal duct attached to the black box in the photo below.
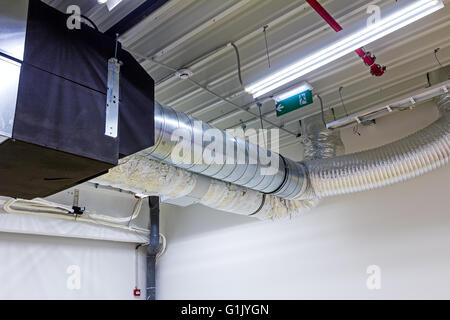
(286, 183)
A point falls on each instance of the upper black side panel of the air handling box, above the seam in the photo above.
(78, 55)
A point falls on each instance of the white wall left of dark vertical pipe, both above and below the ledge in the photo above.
(37, 253)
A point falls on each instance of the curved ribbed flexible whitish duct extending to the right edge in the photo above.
(421, 152)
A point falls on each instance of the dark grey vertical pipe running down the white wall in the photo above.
(153, 247)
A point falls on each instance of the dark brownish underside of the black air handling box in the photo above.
(29, 171)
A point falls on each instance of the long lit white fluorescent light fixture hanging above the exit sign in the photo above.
(389, 24)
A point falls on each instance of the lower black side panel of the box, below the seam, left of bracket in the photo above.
(59, 114)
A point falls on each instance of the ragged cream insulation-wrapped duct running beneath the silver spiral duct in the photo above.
(142, 175)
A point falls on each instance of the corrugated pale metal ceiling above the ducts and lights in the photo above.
(182, 31)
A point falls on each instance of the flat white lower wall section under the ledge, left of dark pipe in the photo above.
(43, 267)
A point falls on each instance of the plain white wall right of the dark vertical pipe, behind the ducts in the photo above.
(404, 229)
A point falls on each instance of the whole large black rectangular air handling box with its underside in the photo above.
(58, 135)
